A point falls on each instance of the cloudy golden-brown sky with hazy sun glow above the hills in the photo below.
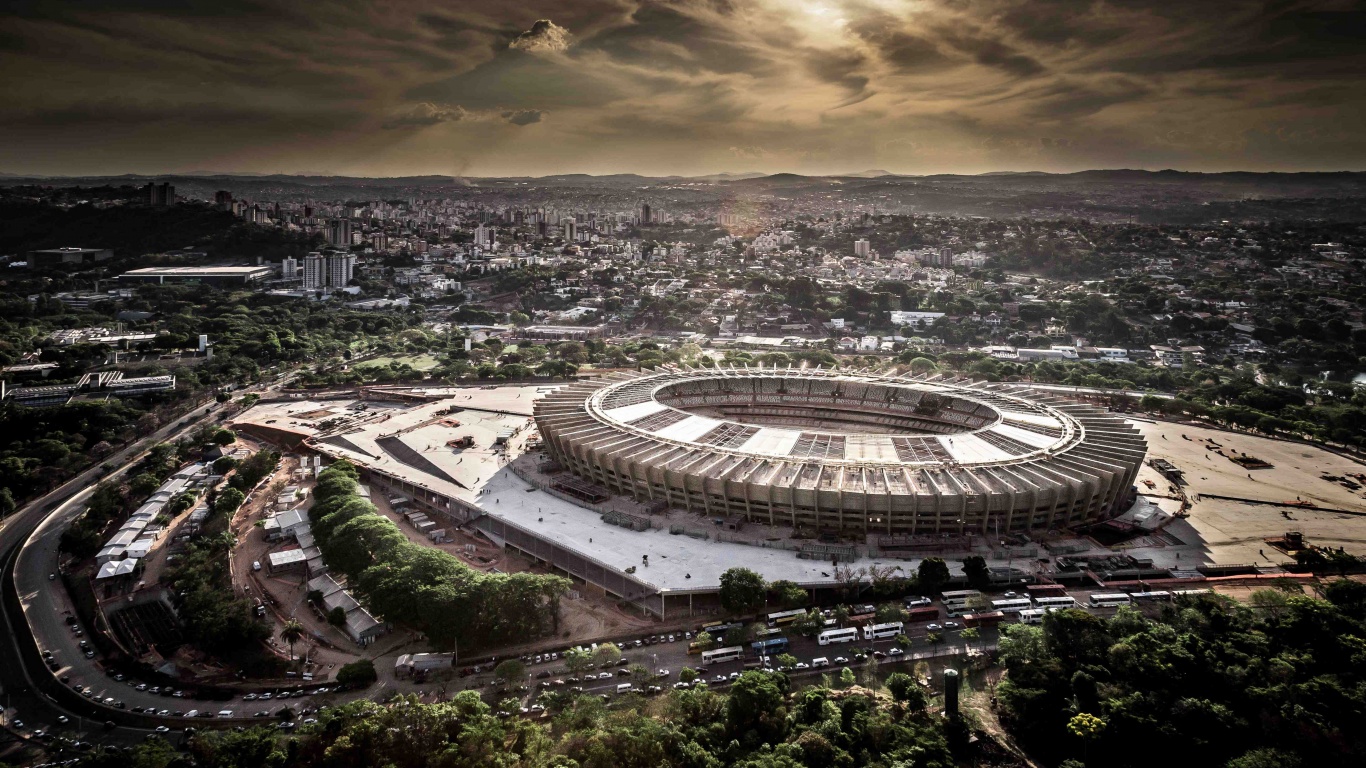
(494, 88)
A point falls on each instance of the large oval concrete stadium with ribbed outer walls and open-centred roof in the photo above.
(846, 452)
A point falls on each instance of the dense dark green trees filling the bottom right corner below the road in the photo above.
(1279, 681)
